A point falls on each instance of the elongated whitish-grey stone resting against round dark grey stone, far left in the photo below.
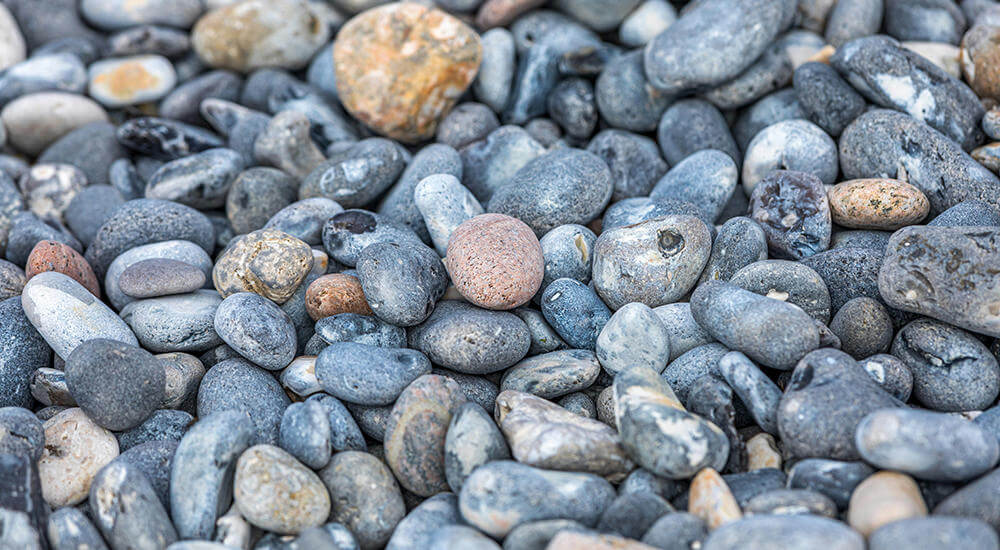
(66, 314)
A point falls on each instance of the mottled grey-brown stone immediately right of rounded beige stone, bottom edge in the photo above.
(364, 497)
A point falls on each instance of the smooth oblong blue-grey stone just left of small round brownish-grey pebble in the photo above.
(750, 323)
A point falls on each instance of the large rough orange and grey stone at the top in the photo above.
(402, 66)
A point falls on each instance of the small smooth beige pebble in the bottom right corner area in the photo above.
(883, 498)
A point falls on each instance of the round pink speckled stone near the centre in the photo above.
(495, 261)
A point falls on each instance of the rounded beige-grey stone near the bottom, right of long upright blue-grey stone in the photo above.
(278, 493)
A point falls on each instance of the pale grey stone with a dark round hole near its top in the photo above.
(630, 262)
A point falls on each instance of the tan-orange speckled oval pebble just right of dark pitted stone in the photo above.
(877, 203)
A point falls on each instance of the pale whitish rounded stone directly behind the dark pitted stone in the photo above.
(795, 144)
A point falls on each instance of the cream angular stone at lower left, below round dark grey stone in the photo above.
(75, 450)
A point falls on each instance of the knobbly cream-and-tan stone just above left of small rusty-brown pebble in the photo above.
(267, 262)
